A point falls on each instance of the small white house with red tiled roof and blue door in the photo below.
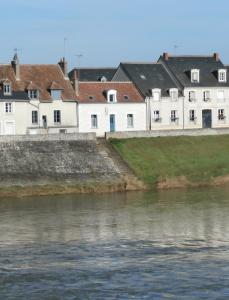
(110, 106)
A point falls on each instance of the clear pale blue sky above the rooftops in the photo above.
(106, 32)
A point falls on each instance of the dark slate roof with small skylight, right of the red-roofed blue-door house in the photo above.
(147, 76)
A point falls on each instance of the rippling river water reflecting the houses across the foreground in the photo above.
(144, 245)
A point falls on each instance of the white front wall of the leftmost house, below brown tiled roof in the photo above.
(16, 117)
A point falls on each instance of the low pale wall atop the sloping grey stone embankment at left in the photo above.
(48, 137)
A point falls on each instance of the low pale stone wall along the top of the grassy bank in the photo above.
(163, 133)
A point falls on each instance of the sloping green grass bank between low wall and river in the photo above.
(199, 159)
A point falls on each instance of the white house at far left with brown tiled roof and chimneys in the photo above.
(36, 99)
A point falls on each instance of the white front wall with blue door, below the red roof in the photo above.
(111, 117)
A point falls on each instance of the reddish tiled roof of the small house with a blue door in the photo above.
(95, 92)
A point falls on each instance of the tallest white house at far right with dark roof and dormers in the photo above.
(205, 86)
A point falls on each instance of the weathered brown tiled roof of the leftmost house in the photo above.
(40, 77)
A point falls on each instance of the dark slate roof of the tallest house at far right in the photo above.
(181, 66)
